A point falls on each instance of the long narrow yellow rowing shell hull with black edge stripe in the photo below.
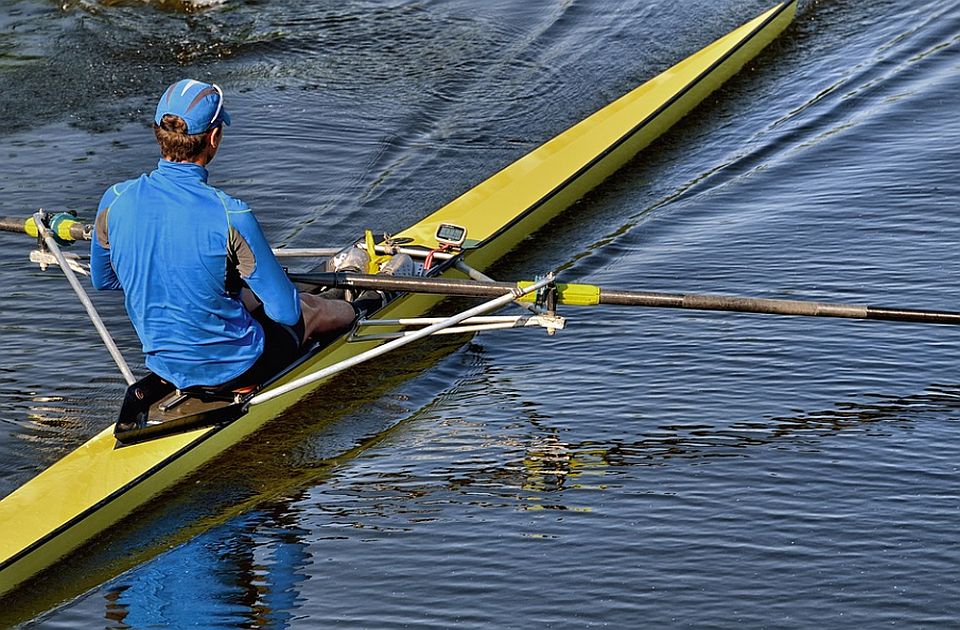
(99, 483)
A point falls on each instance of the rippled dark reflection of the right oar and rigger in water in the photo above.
(530, 465)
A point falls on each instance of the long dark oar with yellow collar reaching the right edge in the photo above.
(586, 295)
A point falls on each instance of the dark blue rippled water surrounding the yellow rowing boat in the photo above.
(642, 468)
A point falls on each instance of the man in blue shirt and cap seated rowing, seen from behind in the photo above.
(209, 300)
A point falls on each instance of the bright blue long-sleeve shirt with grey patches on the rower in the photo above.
(177, 247)
